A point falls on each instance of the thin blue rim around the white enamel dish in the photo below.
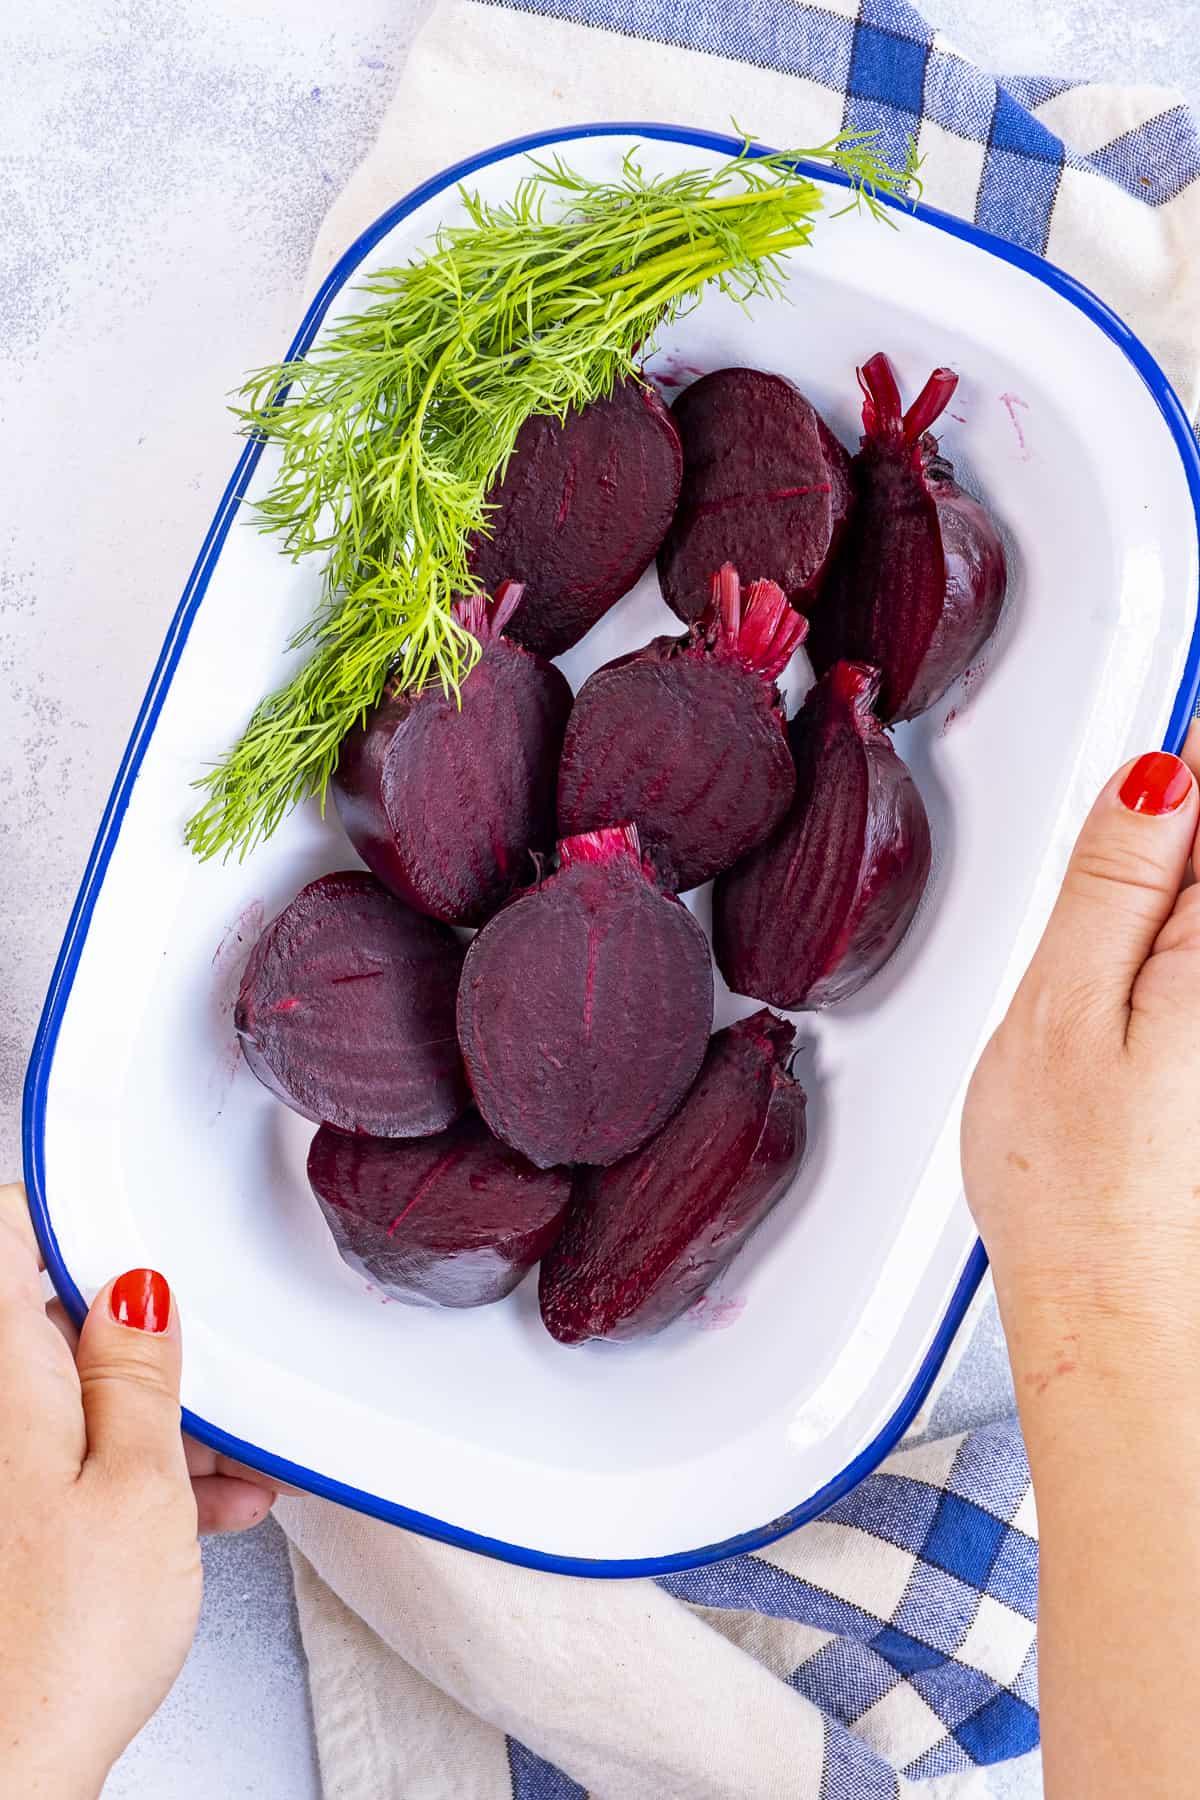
(37, 1081)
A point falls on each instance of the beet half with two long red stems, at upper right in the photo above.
(918, 584)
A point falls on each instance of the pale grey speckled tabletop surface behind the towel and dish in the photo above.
(166, 166)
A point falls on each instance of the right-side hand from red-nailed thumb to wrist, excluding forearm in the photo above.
(1082, 1128)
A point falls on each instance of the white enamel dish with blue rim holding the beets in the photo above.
(147, 1140)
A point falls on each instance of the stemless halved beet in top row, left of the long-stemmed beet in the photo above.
(766, 487)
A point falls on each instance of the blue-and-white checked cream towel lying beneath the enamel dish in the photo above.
(891, 1642)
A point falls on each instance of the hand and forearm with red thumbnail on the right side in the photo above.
(1082, 1164)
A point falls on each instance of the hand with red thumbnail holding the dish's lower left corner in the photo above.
(100, 1561)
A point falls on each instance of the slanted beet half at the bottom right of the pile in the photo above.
(647, 1237)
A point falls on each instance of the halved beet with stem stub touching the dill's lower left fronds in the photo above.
(447, 800)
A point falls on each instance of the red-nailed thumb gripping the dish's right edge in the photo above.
(1120, 890)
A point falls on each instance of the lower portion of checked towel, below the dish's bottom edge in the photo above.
(888, 1644)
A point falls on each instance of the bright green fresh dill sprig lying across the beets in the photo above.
(395, 427)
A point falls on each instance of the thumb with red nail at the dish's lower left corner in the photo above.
(129, 1363)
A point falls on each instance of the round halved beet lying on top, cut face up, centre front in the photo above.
(586, 1007)
